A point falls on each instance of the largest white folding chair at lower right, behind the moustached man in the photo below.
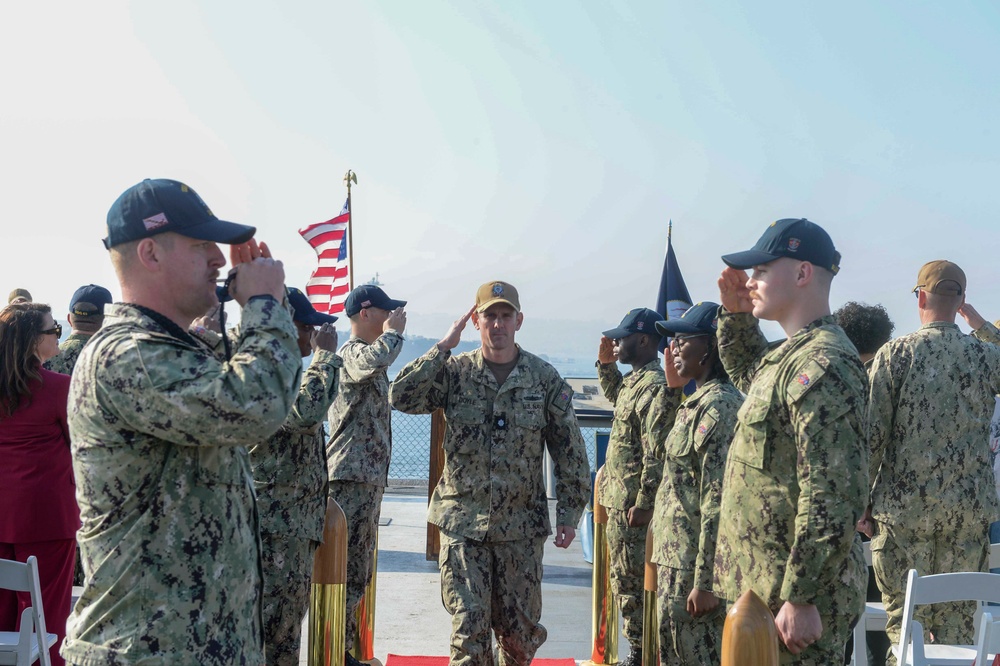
(940, 588)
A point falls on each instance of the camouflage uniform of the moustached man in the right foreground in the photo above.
(796, 482)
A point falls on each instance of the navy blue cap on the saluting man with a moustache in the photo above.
(796, 238)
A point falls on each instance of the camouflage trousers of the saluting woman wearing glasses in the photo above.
(686, 640)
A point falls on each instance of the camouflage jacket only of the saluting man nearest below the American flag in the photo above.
(360, 444)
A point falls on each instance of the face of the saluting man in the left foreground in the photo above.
(192, 268)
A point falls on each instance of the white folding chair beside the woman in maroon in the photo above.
(24, 647)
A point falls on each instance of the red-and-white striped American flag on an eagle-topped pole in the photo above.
(329, 284)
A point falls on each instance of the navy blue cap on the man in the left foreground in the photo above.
(157, 206)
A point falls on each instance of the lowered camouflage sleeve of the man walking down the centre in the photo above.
(569, 454)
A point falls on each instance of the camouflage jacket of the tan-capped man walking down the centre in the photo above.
(492, 487)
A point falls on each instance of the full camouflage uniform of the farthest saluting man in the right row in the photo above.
(630, 478)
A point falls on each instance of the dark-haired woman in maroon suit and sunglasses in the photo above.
(39, 514)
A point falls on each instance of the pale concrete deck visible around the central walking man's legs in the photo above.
(409, 616)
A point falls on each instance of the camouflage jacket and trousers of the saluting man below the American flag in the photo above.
(358, 453)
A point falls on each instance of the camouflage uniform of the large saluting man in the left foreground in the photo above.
(169, 540)
